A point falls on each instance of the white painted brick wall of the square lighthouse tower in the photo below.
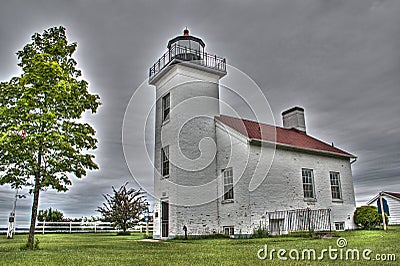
(190, 135)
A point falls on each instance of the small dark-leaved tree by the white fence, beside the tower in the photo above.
(124, 207)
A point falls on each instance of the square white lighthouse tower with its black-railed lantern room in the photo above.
(187, 90)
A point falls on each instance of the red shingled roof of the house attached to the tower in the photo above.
(291, 137)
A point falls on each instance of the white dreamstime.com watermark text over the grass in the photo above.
(338, 252)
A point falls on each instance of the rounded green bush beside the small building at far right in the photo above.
(368, 217)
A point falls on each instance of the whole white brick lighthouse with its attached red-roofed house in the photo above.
(220, 174)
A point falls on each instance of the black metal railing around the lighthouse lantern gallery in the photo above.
(181, 53)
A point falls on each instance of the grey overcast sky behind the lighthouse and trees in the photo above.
(339, 59)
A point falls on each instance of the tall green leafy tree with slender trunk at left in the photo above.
(42, 141)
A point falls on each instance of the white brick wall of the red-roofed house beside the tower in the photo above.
(281, 189)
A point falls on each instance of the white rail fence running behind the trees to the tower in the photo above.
(74, 227)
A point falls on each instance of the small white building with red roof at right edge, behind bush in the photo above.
(393, 203)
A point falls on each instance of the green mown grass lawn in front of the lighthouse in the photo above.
(109, 249)
